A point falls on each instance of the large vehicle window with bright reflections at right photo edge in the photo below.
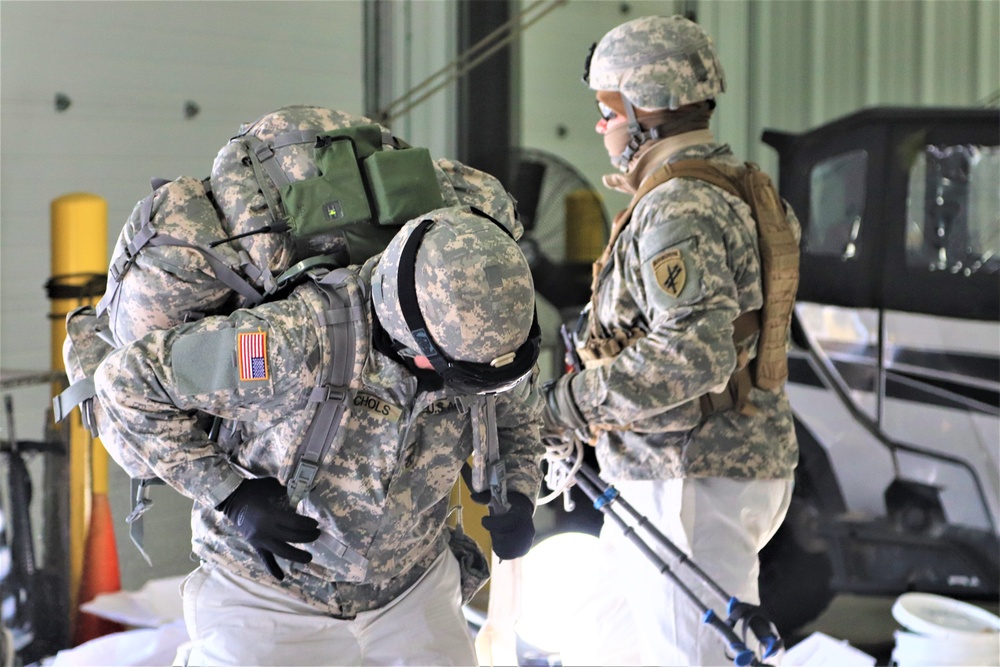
(953, 210)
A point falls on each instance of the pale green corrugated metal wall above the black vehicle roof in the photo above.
(807, 62)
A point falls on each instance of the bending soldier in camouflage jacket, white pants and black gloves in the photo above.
(359, 571)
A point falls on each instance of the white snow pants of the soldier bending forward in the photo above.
(236, 621)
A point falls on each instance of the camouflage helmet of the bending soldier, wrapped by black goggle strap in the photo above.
(472, 282)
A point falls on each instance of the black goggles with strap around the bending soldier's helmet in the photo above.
(463, 376)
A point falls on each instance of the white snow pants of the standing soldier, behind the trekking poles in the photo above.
(638, 615)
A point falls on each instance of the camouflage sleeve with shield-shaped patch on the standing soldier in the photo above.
(677, 274)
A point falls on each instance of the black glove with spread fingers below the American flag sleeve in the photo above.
(264, 517)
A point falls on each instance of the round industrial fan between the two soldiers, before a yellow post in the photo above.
(565, 225)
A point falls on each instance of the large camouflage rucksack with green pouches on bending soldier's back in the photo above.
(297, 187)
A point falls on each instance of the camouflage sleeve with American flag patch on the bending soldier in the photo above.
(155, 391)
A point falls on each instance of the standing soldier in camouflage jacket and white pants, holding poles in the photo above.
(674, 279)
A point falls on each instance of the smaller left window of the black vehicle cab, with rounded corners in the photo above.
(836, 205)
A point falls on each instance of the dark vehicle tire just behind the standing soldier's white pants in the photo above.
(795, 582)
